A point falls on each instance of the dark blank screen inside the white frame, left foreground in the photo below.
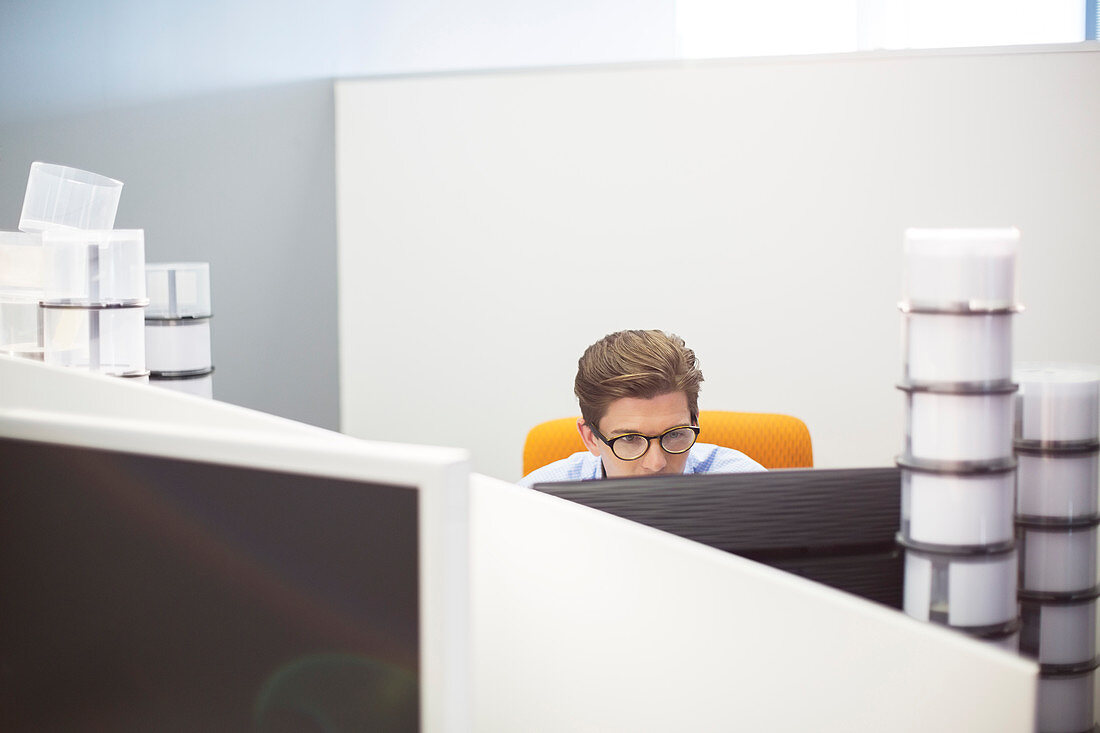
(146, 594)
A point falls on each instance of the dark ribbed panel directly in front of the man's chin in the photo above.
(837, 527)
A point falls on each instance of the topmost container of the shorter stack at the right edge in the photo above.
(1059, 403)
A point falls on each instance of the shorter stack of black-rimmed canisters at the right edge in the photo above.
(1058, 519)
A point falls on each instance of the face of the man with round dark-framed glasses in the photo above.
(651, 418)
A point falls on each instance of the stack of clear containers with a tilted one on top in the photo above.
(92, 312)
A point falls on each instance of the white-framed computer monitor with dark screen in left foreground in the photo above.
(190, 577)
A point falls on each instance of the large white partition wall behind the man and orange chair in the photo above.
(491, 226)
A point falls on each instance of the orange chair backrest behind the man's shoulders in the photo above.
(773, 441)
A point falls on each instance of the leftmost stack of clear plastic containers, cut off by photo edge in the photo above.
(20, 293)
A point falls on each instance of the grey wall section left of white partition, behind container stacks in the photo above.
(241, 180)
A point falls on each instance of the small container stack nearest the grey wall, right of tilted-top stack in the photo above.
(178, 327)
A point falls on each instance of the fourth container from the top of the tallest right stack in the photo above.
(961, 510)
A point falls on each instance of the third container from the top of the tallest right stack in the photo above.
(959, 426)
